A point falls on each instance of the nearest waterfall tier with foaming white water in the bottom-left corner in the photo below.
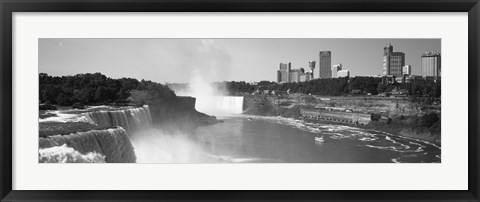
(113, 143)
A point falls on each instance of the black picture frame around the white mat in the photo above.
(8, 7)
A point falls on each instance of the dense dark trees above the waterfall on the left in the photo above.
(95, 89)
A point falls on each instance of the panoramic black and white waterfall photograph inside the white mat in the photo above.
(239, 100)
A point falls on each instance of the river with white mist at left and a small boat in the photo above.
(256, 139)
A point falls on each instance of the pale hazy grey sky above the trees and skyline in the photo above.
(178, 60)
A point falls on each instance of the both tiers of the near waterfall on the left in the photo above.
(111, 145)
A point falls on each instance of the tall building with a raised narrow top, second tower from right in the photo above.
(393, 62)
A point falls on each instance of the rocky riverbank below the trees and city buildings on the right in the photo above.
(403, 117)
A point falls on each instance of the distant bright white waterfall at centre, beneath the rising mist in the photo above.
(219, 105)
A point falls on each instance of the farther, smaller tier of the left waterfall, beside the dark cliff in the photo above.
(131, 119)
